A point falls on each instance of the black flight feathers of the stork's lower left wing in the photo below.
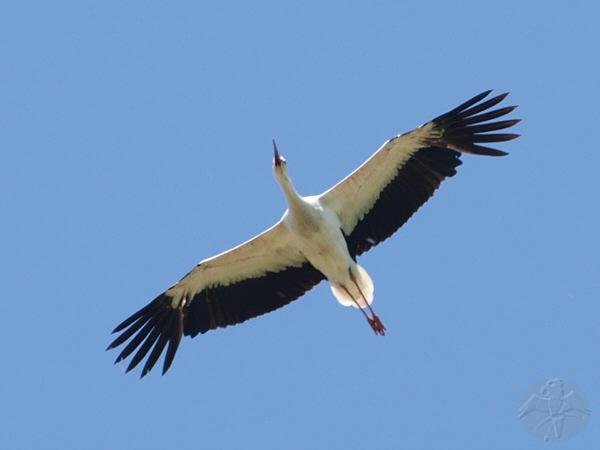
(158, 324)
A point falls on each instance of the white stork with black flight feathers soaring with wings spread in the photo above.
(318, 237)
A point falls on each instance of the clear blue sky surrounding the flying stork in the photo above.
(135, 141)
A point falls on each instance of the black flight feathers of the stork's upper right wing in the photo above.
(462, 130)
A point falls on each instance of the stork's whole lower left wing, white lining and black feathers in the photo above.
(257, 277)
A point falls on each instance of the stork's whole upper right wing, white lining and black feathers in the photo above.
(385, 191)
